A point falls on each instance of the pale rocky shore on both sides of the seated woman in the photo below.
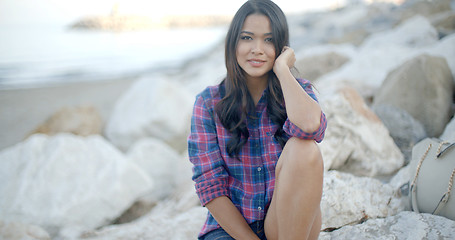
(384, 75)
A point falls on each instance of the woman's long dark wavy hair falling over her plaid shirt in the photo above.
(233, 108)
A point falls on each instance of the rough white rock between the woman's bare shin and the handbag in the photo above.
(347, 199)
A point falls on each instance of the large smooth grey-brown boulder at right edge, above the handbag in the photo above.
(423, 86)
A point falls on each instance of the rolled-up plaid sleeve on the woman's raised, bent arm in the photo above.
(292, 130)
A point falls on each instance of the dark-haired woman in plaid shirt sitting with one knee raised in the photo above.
(257, 167)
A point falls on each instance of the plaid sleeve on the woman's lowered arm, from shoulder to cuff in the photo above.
(209, 173)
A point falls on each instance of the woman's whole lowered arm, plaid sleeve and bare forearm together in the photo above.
(210, 175)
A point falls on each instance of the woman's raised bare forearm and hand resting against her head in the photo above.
(302, 109)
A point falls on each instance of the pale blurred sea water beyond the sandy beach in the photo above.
(33, 56)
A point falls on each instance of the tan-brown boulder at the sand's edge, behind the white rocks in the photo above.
(79, 120)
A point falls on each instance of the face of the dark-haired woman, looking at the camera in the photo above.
(255, 50)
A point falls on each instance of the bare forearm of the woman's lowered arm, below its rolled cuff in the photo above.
(230, 219)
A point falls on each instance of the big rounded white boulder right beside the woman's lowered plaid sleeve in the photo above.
(152, 107)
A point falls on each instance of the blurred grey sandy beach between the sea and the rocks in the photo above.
(22, 110)
